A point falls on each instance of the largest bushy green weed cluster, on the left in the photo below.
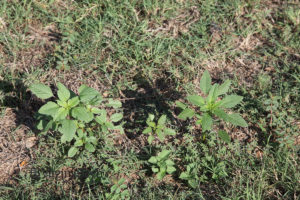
(77, 117)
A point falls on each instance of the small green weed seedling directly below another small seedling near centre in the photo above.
(162, 164)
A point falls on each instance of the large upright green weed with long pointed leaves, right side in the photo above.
(212, 106)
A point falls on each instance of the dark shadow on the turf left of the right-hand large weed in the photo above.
(148, 98)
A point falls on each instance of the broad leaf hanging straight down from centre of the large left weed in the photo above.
(68, 129)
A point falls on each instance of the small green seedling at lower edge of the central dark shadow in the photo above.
(158, 128)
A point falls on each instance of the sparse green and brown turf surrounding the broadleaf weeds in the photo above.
(149, 54)
